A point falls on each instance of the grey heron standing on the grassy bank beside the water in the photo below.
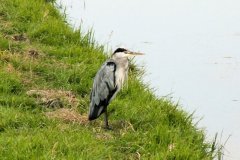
(108, 82)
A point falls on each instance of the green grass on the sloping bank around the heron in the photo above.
(144, 126)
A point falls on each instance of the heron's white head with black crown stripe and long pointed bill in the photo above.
(124, 53)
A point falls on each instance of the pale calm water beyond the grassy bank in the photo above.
(192, 52)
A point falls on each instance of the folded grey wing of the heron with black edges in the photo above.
(103, 89)
